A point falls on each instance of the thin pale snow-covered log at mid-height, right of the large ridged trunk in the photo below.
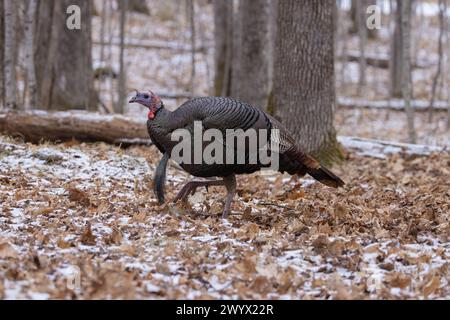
(393, 104)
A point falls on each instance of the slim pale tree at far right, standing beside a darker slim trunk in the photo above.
(405, 11)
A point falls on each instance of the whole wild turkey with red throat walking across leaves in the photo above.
(222, 113)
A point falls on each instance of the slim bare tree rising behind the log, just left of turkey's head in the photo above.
(119, 106)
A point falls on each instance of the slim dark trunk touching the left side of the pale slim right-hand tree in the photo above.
(396, 68)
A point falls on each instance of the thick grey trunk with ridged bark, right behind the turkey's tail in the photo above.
(304, 92)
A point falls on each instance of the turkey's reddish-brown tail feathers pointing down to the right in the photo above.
(315, 169)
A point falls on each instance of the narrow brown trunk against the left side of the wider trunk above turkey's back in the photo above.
(223, 26)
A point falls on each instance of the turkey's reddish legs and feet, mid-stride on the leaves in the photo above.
(191, 187)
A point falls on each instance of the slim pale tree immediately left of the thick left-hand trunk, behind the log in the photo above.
(29, 52)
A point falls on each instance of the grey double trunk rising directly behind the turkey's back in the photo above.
(244, 37)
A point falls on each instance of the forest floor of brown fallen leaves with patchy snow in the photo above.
(81, 221)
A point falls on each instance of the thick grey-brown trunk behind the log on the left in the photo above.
(63, 57)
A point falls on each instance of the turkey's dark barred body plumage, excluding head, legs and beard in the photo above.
(225, 113)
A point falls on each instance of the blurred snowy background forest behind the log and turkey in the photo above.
(182, 49)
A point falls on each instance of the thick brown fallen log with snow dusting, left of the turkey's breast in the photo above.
(35, 126)
